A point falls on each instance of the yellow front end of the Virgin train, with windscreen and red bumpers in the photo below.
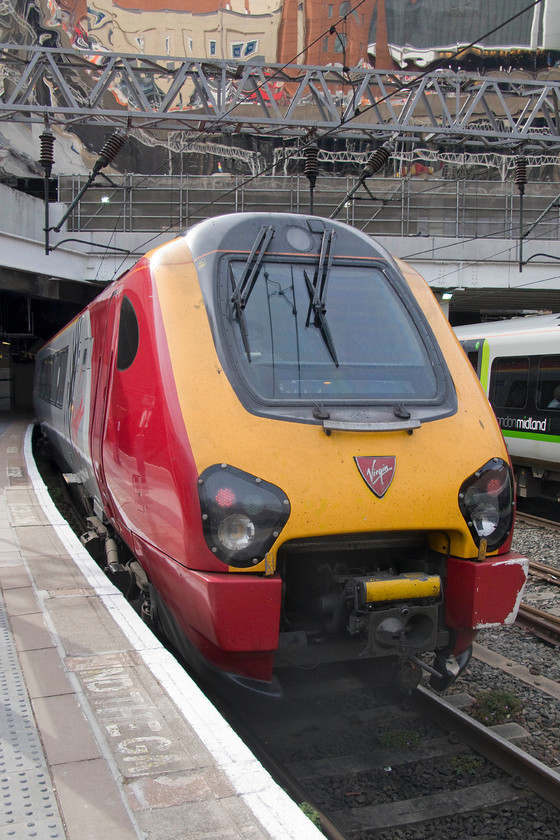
(400, 509)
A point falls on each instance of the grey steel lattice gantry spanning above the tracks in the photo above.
(66, 87)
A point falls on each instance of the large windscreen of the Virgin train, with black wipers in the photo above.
(349, 338)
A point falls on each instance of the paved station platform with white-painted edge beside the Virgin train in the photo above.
(102, 733)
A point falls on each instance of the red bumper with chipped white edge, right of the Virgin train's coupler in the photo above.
(484, 594)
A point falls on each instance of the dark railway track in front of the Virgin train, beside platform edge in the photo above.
(376, 768)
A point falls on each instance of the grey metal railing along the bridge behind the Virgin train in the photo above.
(382, 207)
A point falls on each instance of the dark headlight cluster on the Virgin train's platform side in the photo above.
(242, 515)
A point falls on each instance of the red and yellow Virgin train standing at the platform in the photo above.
(274, 428)
